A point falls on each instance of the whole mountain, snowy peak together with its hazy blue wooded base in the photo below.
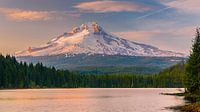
(90, 49)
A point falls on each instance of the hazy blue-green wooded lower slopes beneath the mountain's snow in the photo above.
(98, 64)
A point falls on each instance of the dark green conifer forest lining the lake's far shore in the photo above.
(22, 75)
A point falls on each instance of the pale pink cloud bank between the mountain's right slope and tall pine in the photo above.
(167, 39)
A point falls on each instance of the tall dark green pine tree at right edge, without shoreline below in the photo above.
(193, 66)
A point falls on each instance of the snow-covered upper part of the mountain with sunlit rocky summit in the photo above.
(91, 39)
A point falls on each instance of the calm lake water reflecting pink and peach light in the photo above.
(88, 100)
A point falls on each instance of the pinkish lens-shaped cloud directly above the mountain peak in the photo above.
(111, 6)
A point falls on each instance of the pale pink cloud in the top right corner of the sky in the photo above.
(189, 6)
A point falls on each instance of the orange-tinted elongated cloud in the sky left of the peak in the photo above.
(28, 15)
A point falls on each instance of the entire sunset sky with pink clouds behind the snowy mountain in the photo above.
(167, 24)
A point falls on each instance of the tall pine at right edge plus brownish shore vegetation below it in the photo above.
(192, 79)
